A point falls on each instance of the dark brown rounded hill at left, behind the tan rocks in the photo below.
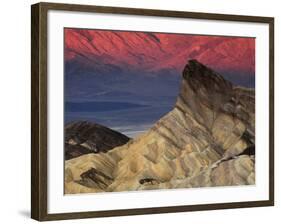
(85, 137)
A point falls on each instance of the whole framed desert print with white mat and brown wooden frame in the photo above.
(139, 111)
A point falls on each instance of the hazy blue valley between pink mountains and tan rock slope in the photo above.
(130, 112)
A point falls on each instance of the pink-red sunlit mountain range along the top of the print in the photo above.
(154, 52)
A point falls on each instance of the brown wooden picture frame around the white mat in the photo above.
(39, 203)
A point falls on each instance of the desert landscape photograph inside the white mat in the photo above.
(154, 110)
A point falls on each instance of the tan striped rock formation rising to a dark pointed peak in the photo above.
(207, 140)
